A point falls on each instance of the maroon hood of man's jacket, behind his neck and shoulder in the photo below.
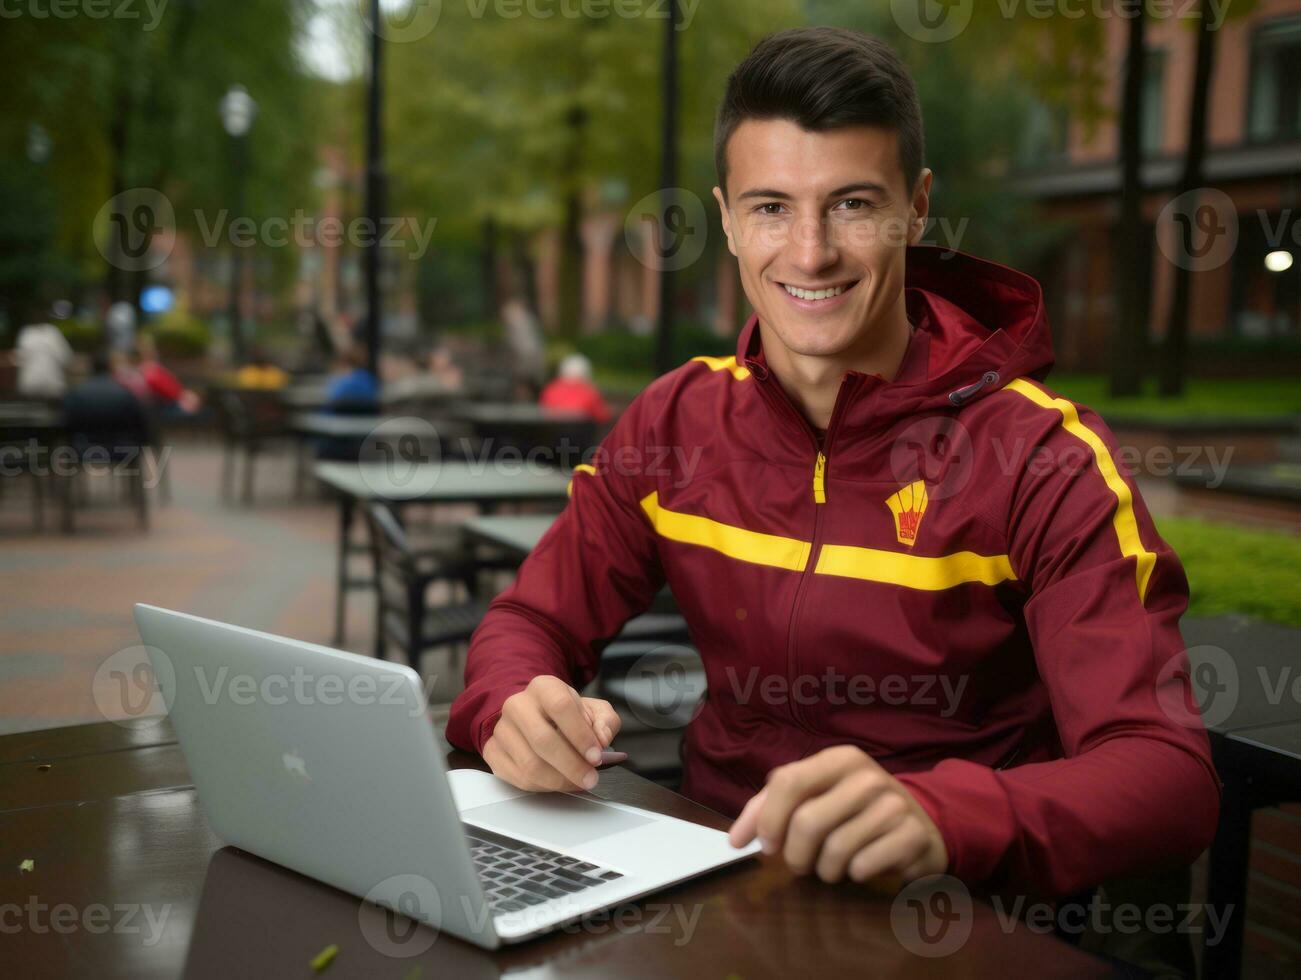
(979, 326)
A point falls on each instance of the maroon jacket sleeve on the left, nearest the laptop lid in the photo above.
(594, 569)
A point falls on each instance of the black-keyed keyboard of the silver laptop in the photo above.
(517, 875)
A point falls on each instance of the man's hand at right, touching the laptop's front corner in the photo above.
(838, 813)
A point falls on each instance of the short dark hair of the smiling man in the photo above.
(824, 79)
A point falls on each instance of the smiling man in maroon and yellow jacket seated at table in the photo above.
(939, 627)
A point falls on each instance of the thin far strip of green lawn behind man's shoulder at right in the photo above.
(1243, 398)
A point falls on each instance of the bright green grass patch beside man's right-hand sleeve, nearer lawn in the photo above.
(1234, 569)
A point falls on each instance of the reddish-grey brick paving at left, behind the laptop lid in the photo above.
(68, 599)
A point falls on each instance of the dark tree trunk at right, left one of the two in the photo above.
(1129, 326)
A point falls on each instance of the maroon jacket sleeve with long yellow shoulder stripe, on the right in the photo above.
(1135, 789)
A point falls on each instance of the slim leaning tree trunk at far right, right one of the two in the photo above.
(1174, 362)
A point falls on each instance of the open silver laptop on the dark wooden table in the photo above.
(327, 763)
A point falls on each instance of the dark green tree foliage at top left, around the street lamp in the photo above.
(132, 102)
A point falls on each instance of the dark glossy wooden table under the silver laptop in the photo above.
(128, 880)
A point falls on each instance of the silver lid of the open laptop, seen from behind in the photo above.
(319, 761)
